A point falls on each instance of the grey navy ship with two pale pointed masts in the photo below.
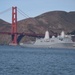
(61, 41)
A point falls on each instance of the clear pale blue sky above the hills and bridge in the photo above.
(34, 8)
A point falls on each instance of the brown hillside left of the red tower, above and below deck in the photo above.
(4, 27)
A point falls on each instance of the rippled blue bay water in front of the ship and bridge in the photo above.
(17, 60)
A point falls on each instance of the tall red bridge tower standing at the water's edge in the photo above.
(14, 26)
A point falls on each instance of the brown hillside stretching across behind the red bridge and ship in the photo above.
(54, 22)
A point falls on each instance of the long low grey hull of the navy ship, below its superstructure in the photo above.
(58, 45)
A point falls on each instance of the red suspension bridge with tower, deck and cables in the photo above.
(14, 34)
